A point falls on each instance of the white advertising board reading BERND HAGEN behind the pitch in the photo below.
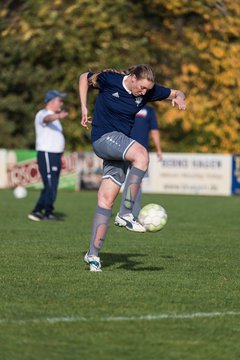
(198, 174)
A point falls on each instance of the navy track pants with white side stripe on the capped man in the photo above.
(49, 165)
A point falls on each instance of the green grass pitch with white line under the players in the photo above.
(170, 295)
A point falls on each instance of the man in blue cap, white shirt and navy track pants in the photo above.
(50, 144)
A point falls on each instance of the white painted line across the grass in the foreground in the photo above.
(71, 319)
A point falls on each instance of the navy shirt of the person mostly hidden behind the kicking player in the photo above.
(145, 121)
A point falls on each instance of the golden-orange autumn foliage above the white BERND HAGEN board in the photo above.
(201, 54)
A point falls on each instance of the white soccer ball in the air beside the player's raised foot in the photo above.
(153, 217)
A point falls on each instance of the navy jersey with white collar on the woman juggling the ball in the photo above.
(116, 107)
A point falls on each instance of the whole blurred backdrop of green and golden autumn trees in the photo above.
(192, 45)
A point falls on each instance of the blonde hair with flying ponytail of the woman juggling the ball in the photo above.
(141, 71)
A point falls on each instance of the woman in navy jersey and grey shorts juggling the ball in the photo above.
(121, 95)
